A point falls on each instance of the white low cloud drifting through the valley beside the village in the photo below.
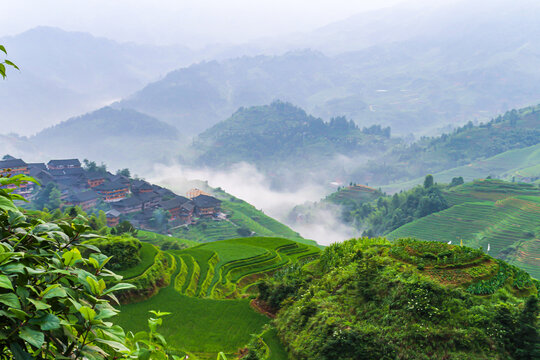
(247, 183)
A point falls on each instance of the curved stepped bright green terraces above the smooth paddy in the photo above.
(226, 269)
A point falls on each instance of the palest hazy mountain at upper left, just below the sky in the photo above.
(67, 73)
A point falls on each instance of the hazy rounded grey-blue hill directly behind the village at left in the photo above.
(120, 138)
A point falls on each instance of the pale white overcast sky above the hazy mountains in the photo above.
(189, 22)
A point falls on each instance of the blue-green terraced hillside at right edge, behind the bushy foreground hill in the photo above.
(504, 215)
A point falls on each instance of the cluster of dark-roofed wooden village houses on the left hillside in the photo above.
(121, 195)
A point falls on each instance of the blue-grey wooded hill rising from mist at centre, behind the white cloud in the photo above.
(283, 141)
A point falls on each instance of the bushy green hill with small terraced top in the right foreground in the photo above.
(372, 299)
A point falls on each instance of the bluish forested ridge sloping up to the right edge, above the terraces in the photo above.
(499, 147)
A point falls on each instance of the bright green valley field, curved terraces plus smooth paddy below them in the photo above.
(209, 296)
